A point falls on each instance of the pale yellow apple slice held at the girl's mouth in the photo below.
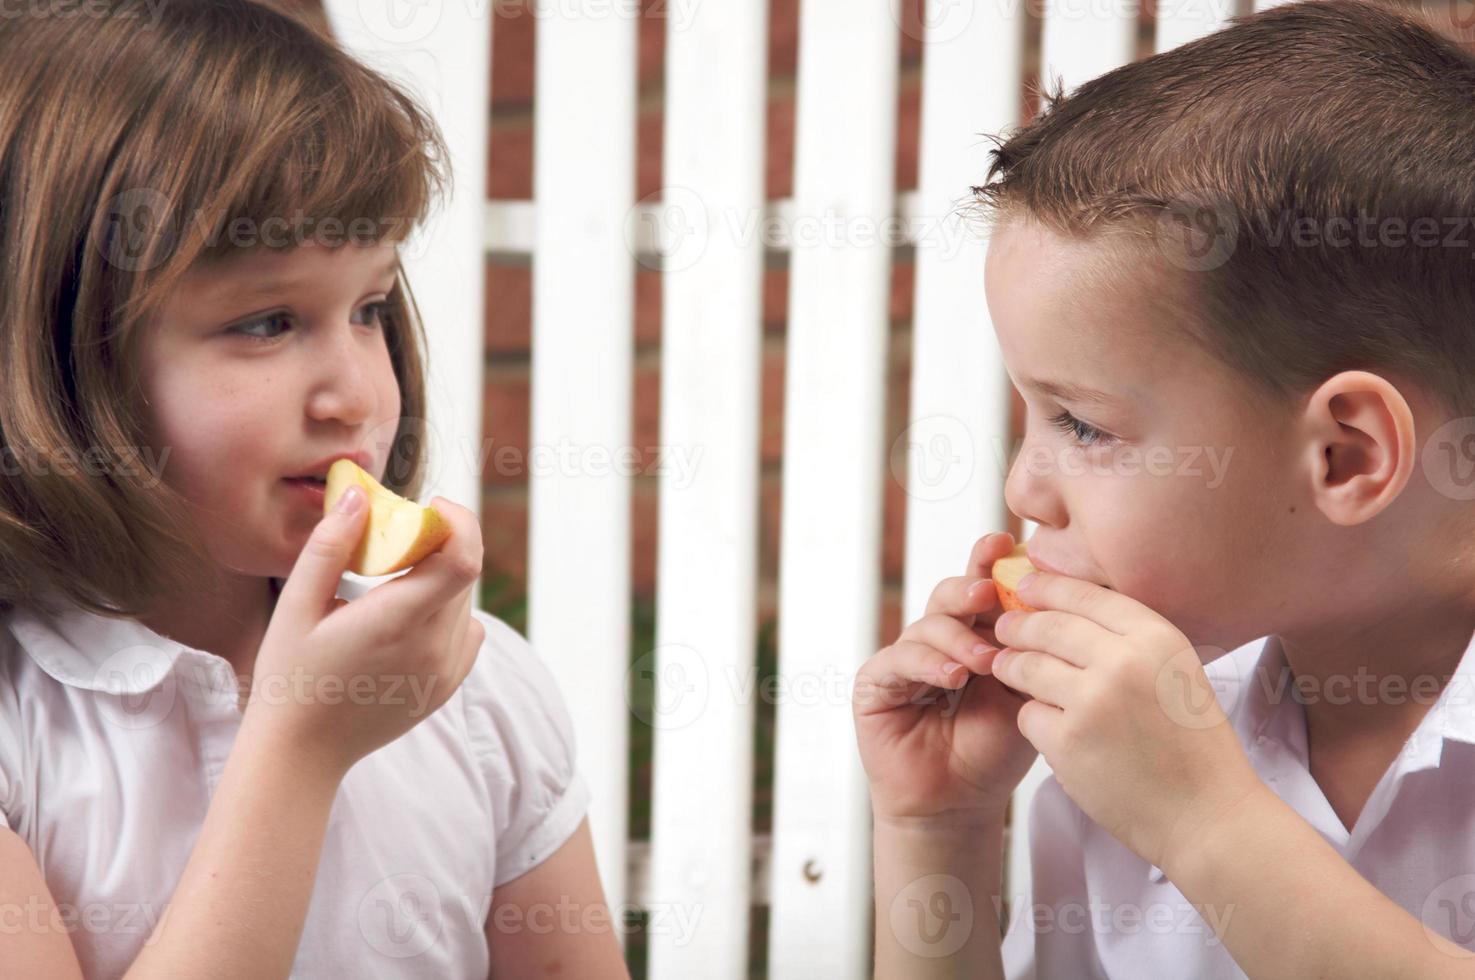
(399, 534)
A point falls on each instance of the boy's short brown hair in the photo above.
(1238, 166)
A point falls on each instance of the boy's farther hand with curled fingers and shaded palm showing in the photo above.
(940, 746)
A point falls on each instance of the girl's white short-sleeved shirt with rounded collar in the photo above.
(113, 740)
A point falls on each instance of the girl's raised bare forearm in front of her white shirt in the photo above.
(240, 907)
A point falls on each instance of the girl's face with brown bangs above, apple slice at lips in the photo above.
(254, 371)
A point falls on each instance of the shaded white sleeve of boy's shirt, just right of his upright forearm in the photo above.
(1049, 929)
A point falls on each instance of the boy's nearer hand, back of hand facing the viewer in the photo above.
(1123, 712)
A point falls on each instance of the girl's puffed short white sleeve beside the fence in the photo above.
(521, 731)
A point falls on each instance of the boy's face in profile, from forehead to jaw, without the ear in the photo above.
(1178, 501)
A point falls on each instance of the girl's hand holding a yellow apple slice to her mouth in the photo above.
(344, 680)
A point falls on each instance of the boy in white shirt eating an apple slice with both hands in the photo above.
(1254, 252)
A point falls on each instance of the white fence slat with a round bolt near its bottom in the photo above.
(834, 464)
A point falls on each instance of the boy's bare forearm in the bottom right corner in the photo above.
(1287, 905)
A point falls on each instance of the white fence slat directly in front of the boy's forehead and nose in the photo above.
(958, 433)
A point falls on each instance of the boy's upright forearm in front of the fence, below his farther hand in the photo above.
(937, 894)
